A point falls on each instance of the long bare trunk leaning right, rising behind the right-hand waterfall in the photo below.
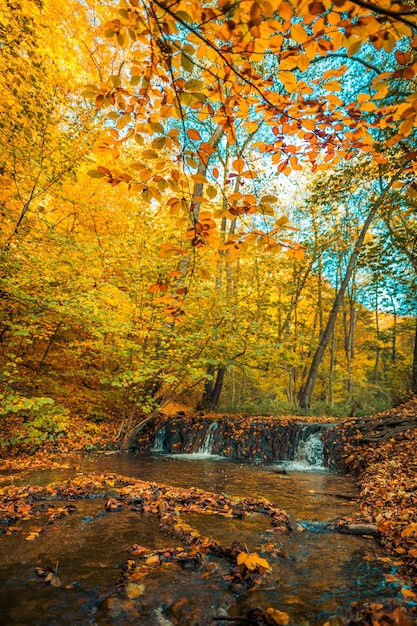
(307, 389)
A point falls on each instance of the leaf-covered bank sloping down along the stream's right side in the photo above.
(386, 470)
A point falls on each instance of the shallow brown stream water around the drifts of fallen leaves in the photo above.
(322, 574)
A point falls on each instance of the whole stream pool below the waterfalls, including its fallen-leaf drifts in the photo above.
(213, 544)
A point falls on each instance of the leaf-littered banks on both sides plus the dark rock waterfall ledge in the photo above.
(386, 469)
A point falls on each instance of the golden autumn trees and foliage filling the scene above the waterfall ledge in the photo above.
(200, 197)
